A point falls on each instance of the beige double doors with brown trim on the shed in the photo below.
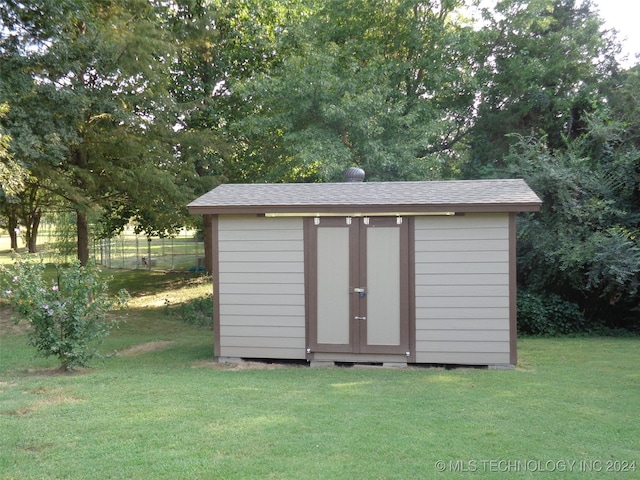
(358, 281)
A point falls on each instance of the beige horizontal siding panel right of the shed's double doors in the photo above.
(462, 289)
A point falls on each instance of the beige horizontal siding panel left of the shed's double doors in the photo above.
(261, 264)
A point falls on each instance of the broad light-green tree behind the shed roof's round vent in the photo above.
(346, 92)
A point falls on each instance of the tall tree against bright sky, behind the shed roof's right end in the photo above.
(544, 64)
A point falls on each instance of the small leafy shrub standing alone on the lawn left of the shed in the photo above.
(66, 313)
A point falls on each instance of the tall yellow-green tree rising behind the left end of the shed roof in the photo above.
(221, 43)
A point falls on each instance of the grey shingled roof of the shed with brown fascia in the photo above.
(505, 195)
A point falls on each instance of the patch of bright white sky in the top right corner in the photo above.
(623, 16)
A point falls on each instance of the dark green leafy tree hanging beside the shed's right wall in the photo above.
(583, 245)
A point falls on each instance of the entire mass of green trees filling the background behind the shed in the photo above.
(124, 110)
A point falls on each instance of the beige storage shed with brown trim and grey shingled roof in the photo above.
(370, 272)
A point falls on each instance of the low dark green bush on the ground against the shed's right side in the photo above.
(548, 315)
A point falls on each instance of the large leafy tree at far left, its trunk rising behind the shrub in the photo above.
(86, 82)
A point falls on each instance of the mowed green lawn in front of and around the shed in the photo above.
(160, 408)
